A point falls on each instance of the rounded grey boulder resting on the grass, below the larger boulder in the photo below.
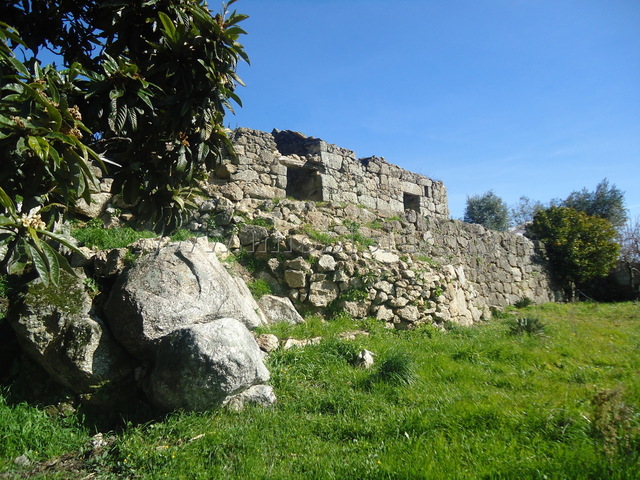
(205, 365)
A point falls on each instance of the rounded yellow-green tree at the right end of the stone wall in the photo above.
(579, 247)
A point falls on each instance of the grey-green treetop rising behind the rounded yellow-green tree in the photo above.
(606, 201)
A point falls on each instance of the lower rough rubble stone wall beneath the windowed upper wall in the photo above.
(402, 270)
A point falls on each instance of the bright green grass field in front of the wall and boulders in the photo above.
(468, 403)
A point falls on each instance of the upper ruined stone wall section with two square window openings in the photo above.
(286, 163)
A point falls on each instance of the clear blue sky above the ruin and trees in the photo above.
(522, 97)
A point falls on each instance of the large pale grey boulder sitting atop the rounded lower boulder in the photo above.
(178, 285)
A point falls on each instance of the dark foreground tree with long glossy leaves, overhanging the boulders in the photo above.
(146, 85)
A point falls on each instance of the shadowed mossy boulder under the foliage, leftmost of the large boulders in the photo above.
(55, 326)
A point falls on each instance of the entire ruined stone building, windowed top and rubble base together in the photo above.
(363, 236)
